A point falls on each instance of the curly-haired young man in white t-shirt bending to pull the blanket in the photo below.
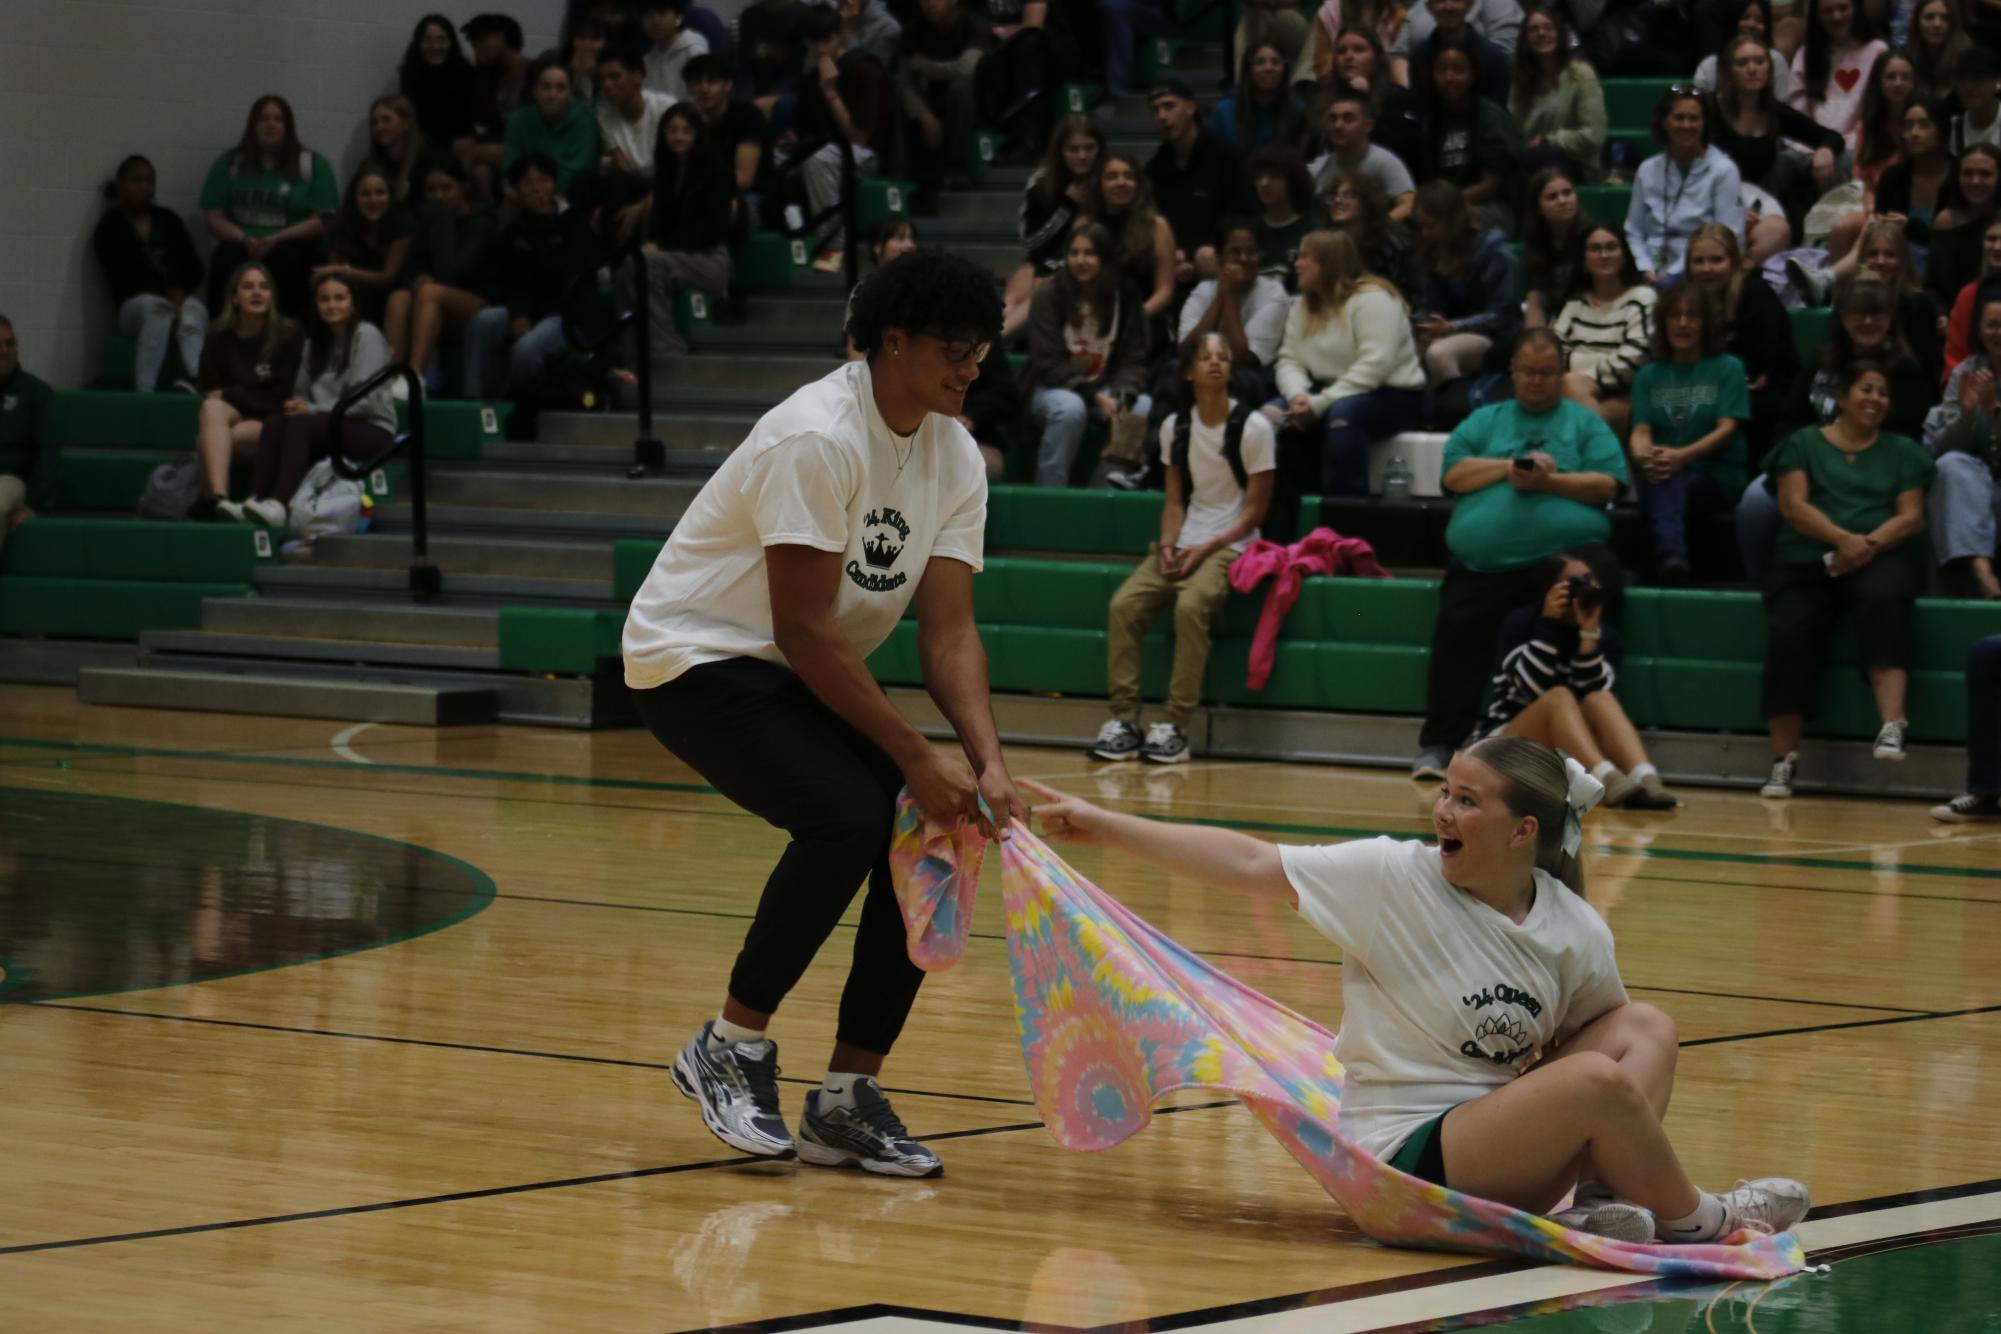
(745, 651)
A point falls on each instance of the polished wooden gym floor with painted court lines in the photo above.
(367, 1027)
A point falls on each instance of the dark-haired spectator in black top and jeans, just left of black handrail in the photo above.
(545, 259)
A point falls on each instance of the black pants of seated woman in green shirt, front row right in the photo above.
(1802, 605)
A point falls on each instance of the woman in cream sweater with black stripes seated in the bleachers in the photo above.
(1608, 327)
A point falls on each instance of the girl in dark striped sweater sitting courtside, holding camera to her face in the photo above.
(1556, 685)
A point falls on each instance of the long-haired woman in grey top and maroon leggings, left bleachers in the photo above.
(343, 351)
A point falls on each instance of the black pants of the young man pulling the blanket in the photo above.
(767, 743)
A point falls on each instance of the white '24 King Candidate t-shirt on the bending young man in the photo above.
(817, 471)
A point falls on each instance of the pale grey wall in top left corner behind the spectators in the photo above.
(85, 83)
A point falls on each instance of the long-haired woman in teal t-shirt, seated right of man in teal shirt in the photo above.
(1688, 407)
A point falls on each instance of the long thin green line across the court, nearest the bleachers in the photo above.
(699, 789)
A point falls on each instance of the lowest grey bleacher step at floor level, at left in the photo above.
(285, 697)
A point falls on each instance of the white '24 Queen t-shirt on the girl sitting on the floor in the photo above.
(1444, 997)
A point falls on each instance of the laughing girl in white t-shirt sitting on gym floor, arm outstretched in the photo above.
(1488, 1039)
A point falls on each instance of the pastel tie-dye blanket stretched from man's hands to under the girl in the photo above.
(1114, 1017)
